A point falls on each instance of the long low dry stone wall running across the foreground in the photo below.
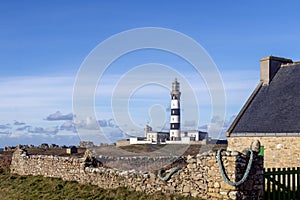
(200, 178)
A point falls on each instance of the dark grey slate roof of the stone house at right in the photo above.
(272, 108)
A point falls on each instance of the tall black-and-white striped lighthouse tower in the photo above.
(175, 112)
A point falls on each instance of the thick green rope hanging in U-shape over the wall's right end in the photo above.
(223, 173)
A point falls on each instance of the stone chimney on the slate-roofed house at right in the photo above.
(269, 65)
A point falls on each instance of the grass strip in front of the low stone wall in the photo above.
(36, 187)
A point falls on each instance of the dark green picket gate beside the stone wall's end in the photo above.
(282, 183)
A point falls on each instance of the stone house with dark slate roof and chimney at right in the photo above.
(272, 114)
